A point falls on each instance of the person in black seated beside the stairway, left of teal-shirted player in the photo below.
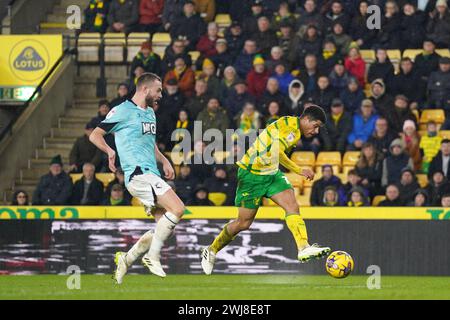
(83, 151)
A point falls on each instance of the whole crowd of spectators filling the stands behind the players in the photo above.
(275, 59)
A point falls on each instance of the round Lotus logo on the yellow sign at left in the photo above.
(29, 60)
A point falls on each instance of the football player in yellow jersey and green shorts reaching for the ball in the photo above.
(259, 176)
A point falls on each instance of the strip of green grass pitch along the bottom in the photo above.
(229, 287)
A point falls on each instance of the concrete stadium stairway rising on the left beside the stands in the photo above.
(69, 127)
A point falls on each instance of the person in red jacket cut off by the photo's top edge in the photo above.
(150, 15)
